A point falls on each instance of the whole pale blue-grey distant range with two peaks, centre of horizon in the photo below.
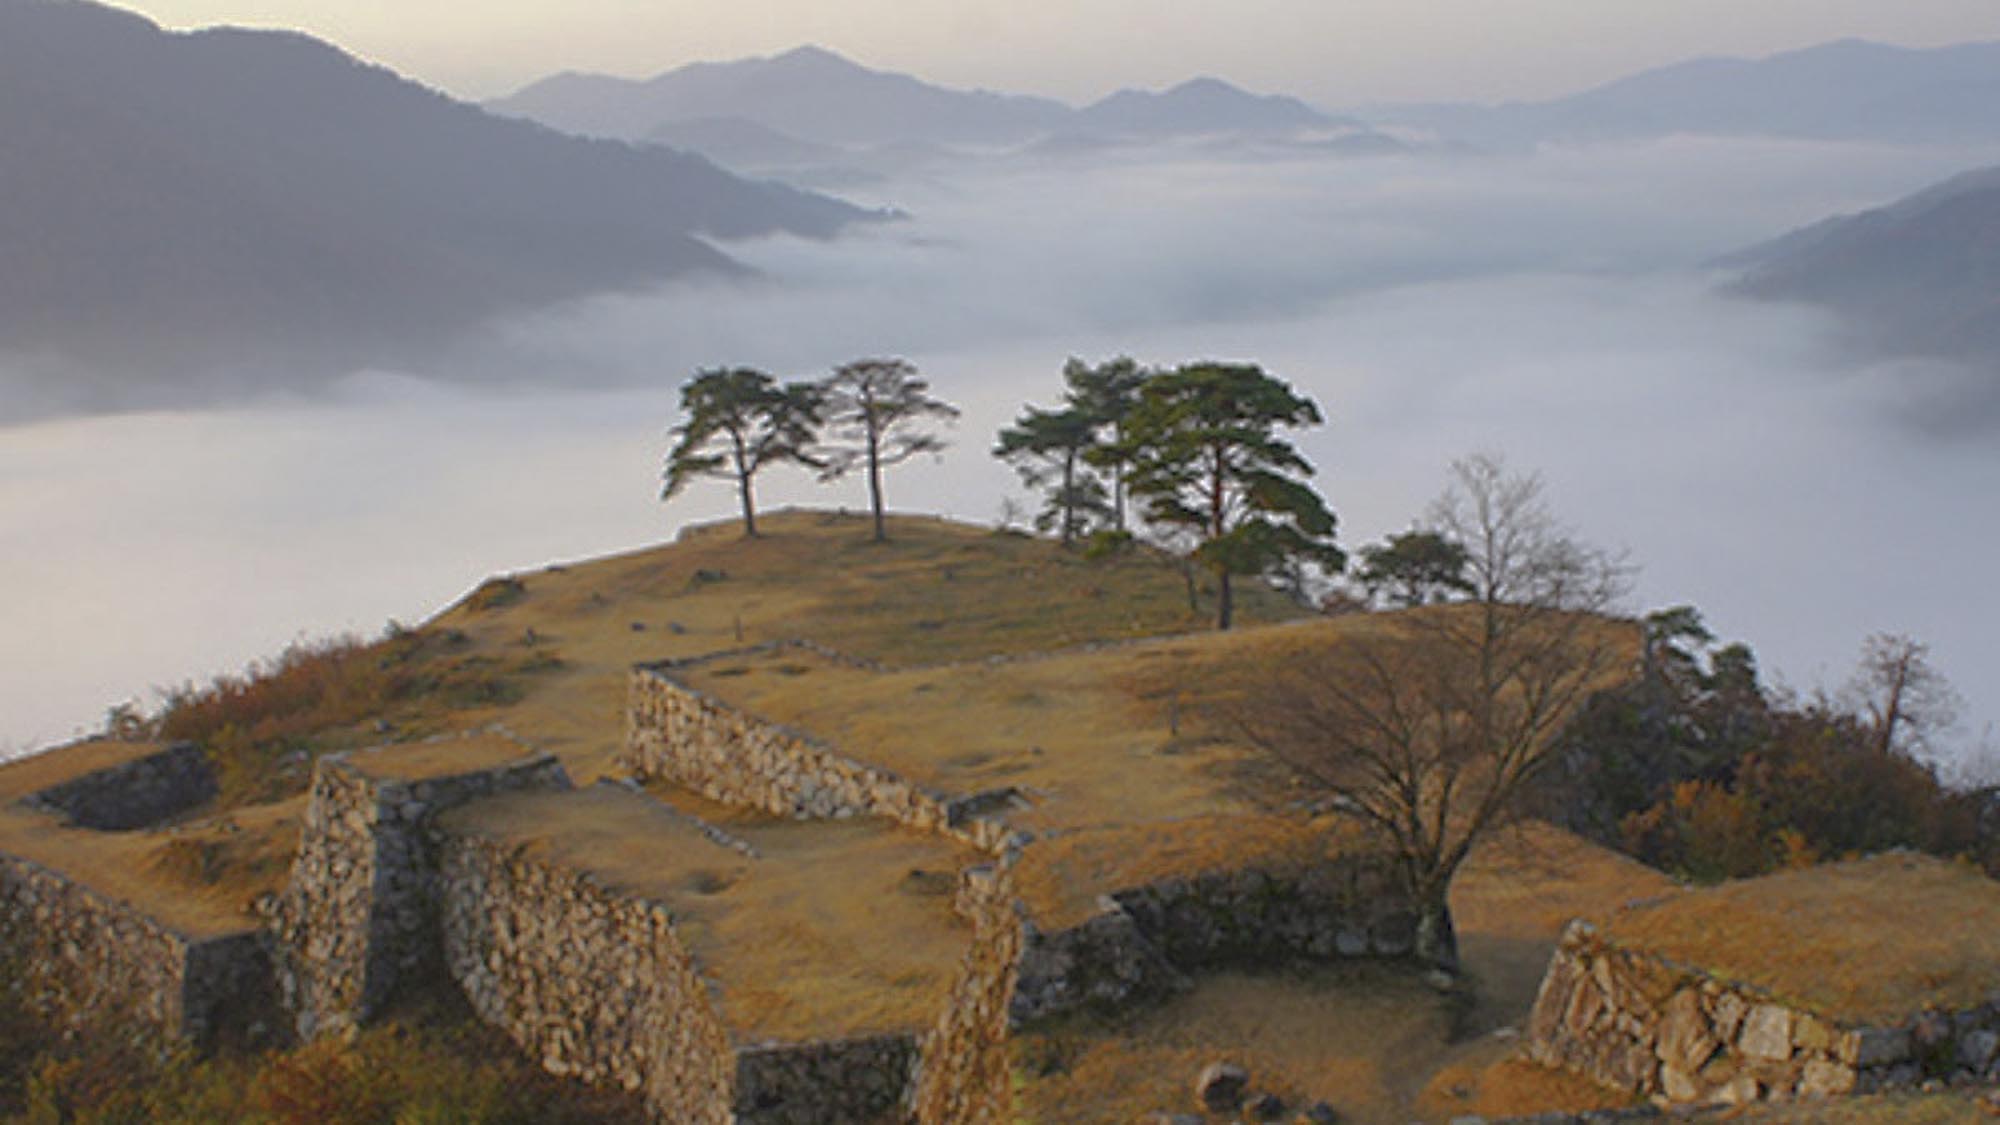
(819, 97)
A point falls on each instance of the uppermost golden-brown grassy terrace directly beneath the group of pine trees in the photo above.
(937, 592)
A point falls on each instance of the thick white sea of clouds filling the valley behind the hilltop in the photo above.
(1551, 307)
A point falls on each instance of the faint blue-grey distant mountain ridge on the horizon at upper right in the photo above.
(1841, 91)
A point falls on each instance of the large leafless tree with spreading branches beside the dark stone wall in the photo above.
(1431, 724)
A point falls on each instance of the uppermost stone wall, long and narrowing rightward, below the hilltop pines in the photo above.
(729, 756)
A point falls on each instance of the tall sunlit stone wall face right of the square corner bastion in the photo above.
(593, 986)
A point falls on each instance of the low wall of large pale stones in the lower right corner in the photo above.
(1651, 1028)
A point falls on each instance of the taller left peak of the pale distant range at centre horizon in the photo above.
(809, 93)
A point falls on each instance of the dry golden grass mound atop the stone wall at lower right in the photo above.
(1859, 942)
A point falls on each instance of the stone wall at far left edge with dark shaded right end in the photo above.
(93, 966)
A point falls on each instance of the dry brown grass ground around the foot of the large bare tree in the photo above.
(1369, 1040)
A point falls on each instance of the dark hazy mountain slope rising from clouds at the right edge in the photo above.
(1917, 277)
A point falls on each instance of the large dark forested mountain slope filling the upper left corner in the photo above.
(227, 199)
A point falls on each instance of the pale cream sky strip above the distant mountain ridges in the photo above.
(1327, 51)
